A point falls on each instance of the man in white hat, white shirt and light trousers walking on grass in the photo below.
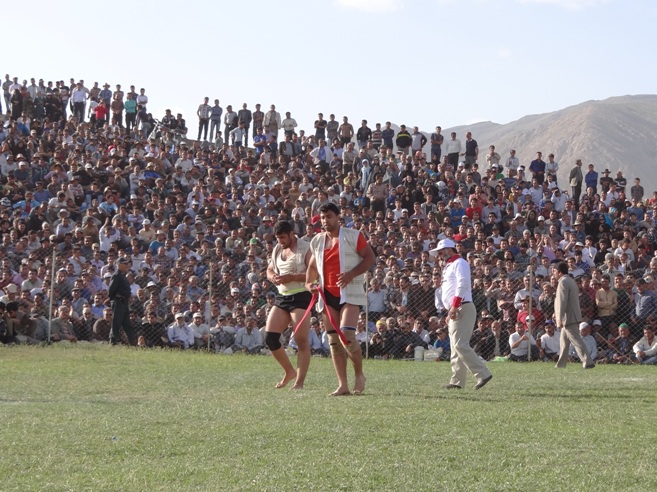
(457, 294)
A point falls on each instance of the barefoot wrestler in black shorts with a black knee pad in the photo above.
(287, 270)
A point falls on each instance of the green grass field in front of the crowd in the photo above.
(101, 418)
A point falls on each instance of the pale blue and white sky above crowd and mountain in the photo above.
(417, 62)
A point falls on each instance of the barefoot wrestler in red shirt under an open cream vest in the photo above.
(340, 257)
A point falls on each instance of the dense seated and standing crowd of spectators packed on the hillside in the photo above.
(89, 176)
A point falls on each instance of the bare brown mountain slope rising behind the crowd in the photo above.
(619, 133)
